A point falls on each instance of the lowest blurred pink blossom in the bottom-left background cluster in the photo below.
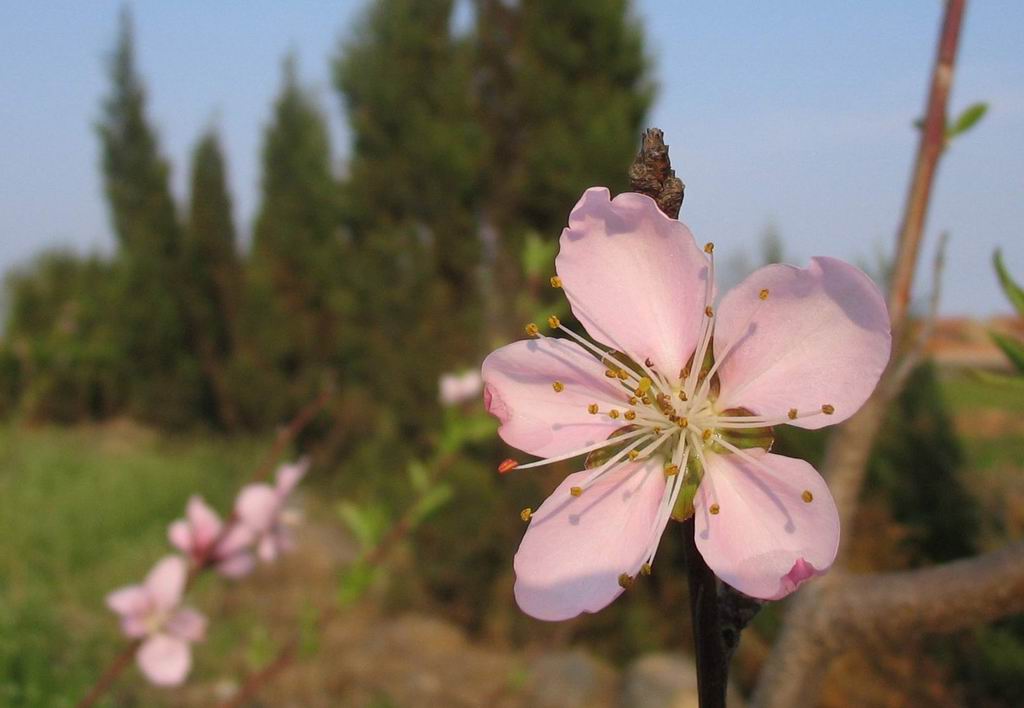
(151, 612)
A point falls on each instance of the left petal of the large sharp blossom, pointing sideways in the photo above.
(535, 419)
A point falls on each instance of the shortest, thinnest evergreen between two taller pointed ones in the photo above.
(215, 286)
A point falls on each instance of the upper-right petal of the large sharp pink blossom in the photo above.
(821, 338)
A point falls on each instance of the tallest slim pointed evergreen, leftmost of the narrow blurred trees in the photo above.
(163, 376)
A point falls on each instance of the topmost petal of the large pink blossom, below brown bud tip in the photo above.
(635, 278)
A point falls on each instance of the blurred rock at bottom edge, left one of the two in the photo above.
(571, 680)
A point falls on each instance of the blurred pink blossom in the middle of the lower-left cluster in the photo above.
(201, 536)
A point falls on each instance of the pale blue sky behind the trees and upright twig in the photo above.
(792, 114)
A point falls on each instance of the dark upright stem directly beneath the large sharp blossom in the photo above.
(712, 659)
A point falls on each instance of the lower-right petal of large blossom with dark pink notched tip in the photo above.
(765, 539)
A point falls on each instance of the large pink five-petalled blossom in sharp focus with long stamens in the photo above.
(798, 347)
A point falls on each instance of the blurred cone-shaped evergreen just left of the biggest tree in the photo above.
(294, 307)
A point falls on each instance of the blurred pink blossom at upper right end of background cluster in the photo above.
(262, 509)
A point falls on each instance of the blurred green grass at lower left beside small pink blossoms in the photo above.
(87, 511)
